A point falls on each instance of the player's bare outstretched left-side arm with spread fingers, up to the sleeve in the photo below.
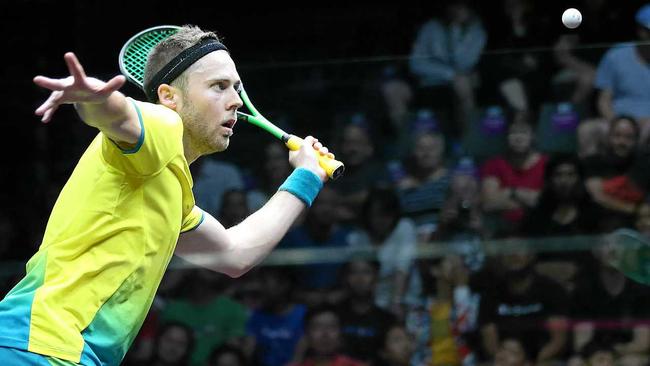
(98, 103)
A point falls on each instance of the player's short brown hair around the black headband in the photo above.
(165, 51)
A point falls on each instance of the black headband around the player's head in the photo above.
(180, 63)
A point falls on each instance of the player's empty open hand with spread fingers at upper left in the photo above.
(76, 88)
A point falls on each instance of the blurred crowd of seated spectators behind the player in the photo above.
(479, 135)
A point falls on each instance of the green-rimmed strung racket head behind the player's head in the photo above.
(133, 55)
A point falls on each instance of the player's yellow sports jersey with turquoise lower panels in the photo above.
(108, 242)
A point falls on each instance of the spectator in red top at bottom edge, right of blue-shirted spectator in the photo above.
(324, 339)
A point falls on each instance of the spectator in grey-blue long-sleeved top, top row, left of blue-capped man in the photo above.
(443, 60)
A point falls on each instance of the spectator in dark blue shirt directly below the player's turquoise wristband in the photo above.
(317, 282)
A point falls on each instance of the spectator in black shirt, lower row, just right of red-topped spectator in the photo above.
(363, 323)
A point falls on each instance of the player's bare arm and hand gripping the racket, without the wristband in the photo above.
(236, 250)
